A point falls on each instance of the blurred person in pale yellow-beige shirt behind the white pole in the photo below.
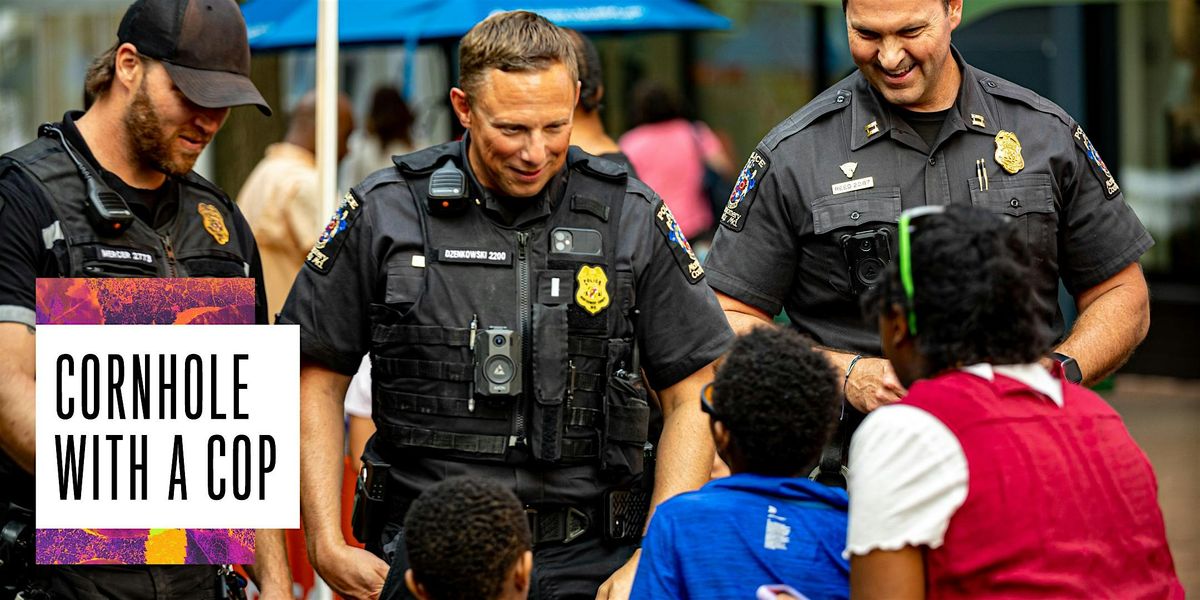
(281, 199)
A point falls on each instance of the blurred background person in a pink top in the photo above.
(670, 153)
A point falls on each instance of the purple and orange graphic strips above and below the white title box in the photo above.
(133, 302)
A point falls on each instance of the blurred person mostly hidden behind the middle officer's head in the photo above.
(587, 129)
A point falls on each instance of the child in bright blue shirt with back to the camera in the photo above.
(771, 409)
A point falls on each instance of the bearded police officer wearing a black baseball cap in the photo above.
(110, 193)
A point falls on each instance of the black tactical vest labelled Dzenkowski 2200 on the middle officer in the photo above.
(545, 310)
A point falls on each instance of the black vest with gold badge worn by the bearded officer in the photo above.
(199, 243)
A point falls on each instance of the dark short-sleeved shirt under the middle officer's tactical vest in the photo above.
(680, 329)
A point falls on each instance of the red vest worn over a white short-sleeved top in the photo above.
(1061, 502)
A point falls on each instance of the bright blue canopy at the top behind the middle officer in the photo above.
(279, 25)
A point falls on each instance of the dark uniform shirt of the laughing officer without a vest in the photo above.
(813, 215)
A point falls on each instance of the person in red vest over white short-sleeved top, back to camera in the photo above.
(993, 478)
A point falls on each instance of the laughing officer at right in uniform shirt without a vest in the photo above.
(812, 220)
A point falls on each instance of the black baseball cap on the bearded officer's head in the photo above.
(203, 46)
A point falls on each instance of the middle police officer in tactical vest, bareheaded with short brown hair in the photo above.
(511, 291)
